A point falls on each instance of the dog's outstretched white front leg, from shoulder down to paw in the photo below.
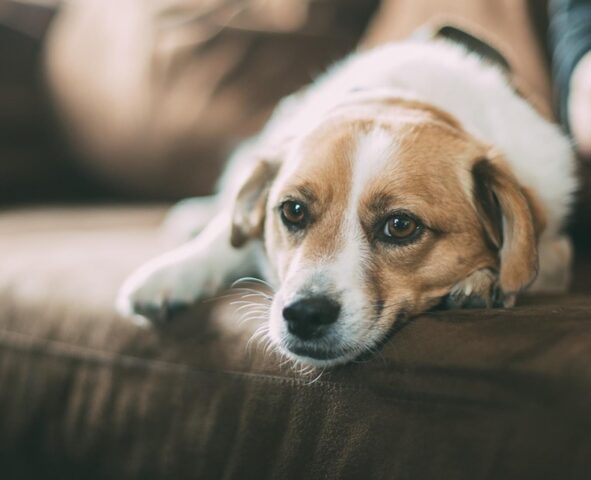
(195, 270)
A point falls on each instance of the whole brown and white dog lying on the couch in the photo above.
(406, 176)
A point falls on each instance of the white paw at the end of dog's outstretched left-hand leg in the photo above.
(157, 291)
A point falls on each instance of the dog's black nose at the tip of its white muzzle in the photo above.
(309, 317)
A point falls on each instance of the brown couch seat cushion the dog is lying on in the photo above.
(85, 394)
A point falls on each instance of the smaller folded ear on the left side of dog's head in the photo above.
(248, 217)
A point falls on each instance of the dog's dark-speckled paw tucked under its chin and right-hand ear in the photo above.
(477, 290)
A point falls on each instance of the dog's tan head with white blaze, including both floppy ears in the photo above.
(378, 213)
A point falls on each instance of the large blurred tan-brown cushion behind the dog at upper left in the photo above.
(155, 95)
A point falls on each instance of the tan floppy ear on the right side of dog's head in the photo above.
(511, 221)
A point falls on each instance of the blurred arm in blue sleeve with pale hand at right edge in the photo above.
(570, 34)
